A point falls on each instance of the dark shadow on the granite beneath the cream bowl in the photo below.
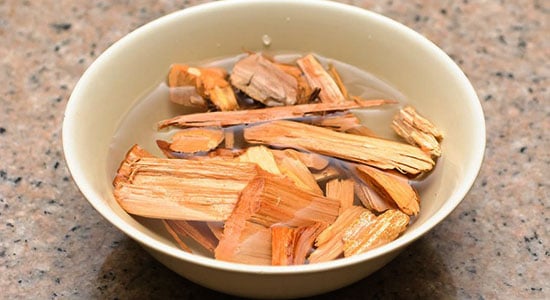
(129, 272)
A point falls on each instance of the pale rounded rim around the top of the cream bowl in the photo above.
(452, 202)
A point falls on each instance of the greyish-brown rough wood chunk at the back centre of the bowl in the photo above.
(263, 81)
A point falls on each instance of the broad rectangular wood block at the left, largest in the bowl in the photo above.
(181, 189)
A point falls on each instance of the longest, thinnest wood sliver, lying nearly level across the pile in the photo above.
(229, 118)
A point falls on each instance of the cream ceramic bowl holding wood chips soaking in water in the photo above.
(135, 65)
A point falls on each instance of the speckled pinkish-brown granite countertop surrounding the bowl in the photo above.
(496, 244)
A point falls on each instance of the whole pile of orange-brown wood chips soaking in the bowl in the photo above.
(290, 177)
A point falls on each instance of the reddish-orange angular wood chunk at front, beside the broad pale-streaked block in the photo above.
(268, 200)
